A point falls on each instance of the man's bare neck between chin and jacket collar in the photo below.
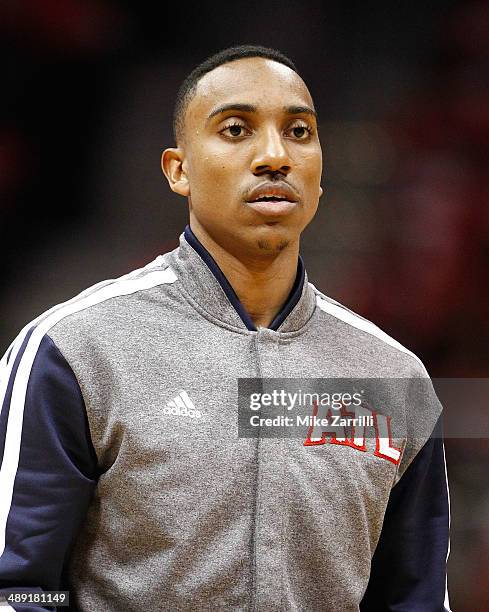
(262, 284)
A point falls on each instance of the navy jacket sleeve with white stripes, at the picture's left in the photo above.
(48, 467)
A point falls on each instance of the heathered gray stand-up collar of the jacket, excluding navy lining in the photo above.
(204, 282)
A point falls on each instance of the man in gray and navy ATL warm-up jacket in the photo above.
(123, 477)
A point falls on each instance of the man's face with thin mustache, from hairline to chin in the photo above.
(251, 157)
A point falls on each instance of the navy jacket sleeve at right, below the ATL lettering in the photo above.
(408, 572)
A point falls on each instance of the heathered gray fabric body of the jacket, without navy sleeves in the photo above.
(186, 516)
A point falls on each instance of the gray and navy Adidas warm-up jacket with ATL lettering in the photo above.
(124, 481)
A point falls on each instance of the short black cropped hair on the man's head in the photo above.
(231, 54)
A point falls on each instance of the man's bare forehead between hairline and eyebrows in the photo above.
(255, 80)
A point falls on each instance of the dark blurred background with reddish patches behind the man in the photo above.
(402, 233)
